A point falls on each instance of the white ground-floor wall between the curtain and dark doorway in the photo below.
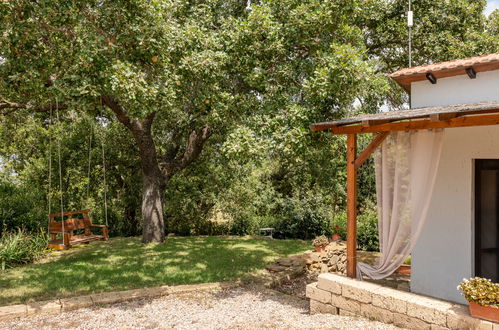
(444, 254)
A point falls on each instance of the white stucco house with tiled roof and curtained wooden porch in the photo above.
(454, 233)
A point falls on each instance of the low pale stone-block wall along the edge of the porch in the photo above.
(337, 294)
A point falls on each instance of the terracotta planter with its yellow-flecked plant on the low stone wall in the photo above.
(483, 297)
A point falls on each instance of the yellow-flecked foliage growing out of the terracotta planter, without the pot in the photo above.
(480, 290)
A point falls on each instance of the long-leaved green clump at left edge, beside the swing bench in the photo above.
(20, 247)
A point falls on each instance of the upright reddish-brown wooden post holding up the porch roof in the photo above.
(351, 206)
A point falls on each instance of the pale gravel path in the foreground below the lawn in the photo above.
(239, 308)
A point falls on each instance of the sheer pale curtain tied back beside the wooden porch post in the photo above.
(406, 168)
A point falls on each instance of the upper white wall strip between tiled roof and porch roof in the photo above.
(456, 90)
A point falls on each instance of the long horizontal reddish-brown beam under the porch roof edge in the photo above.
(465, 121)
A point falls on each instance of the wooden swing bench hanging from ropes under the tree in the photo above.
(76, 220)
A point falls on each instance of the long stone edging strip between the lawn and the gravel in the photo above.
(97, 299)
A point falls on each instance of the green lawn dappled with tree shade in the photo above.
(125, 263)
